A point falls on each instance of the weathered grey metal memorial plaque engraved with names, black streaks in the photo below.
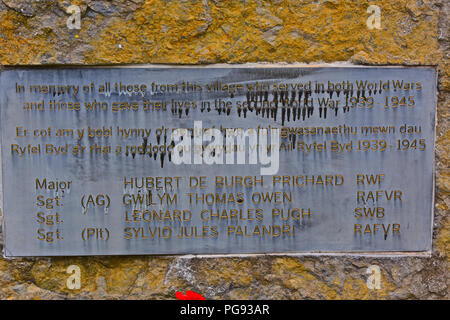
(213, 160)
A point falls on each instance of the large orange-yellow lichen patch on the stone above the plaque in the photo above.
(251, 31)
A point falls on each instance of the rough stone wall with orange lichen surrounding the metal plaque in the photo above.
(413, 32)
